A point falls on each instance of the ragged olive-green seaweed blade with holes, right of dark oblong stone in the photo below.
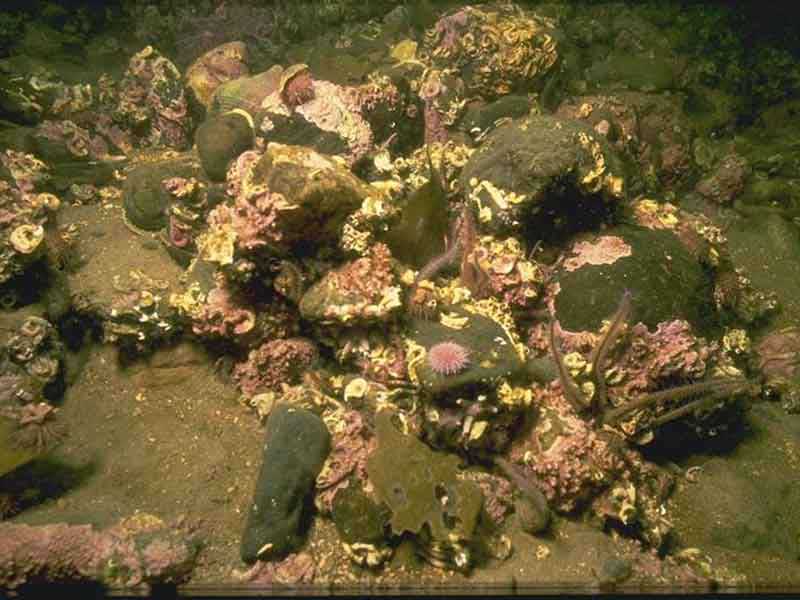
(420, 486)
